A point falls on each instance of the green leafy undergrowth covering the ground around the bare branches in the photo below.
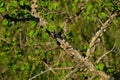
(26, 49)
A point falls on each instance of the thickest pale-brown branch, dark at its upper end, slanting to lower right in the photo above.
(80, 59)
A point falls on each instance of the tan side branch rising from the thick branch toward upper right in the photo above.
(99, 34)
